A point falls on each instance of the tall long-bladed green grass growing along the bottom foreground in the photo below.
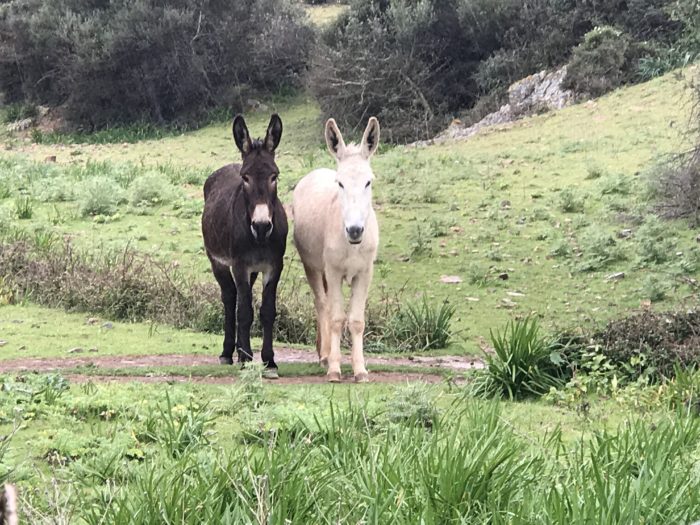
(354, 466)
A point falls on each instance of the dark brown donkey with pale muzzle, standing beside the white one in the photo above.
(245, 232)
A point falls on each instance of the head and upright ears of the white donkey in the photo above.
(354, 176)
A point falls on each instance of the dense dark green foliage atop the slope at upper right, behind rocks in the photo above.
(414, 64)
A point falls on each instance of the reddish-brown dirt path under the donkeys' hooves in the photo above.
(282, 355)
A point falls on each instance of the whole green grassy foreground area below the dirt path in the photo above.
(192, 453)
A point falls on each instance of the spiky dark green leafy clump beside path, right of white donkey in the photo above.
(524, 363)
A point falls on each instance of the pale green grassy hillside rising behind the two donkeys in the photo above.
(544, 201)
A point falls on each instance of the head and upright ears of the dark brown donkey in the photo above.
(259, 173)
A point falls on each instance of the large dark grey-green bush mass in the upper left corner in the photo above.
(125, 61)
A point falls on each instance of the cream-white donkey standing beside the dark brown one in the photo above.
(336, 234)
